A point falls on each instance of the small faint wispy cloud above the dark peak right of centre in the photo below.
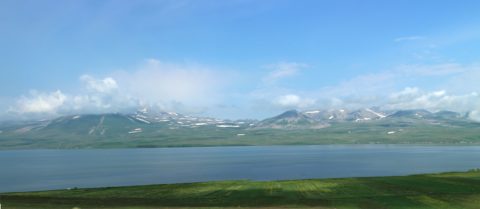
(282, 70)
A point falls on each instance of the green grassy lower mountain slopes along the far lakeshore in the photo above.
(407, 131)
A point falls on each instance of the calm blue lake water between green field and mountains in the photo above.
(29, 170)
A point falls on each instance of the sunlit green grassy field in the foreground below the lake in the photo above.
(435, 191)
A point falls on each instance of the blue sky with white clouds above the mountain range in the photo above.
(237, 59)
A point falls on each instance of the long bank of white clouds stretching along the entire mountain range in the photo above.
(199, 89)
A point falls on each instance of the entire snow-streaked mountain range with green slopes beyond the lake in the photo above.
(154, 128)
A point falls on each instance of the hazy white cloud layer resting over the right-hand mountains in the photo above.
(445, 86)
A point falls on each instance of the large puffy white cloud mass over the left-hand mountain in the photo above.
(187, 88)
